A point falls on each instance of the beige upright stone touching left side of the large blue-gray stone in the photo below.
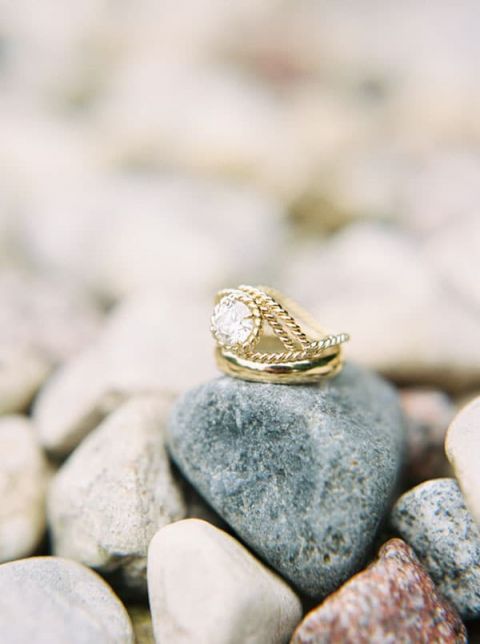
(114, 492)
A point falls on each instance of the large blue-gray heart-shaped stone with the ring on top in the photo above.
(303, 474)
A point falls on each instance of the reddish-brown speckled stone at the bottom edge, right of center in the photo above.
(392, 601)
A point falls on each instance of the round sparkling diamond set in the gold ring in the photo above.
(232, 321)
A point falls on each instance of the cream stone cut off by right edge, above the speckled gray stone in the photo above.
(463, 448)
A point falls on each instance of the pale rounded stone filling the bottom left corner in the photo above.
(49, 600)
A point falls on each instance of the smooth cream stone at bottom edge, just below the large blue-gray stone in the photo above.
(205, 587)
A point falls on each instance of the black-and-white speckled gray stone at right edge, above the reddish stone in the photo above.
(433, 519)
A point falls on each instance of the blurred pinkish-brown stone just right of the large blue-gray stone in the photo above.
(428, 413)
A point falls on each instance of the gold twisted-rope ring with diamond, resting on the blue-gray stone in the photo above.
(263, 336)
